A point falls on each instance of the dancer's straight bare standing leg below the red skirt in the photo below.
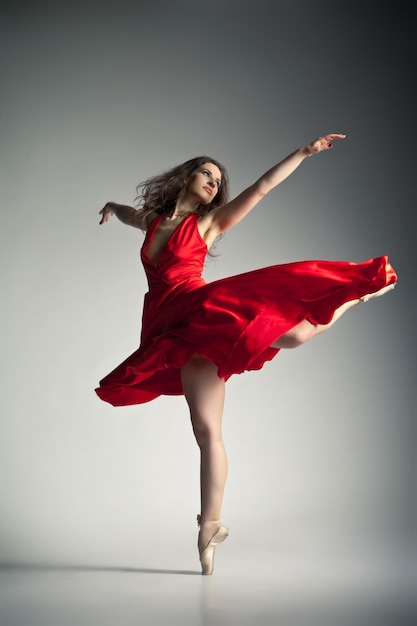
(204, 392)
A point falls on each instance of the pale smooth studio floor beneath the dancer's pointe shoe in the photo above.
(252, 589)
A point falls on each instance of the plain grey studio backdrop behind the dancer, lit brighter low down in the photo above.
(97, 98)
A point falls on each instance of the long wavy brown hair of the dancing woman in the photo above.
(159, 193)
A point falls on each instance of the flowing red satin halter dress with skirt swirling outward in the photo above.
(231, 322)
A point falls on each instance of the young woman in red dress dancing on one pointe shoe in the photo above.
(195, 335)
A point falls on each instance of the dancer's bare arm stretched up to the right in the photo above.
(226, 216)
